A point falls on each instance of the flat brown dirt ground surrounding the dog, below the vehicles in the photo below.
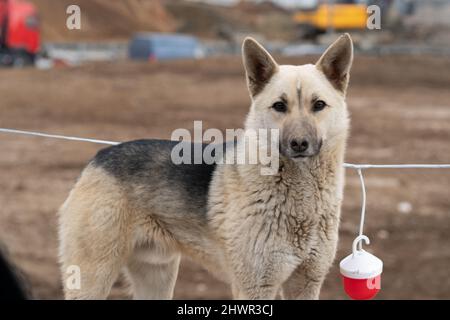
(400, 109)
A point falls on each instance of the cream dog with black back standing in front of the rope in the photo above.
(133, 209)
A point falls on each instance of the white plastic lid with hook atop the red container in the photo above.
(361, 264)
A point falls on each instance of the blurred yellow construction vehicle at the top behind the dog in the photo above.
(337, 15)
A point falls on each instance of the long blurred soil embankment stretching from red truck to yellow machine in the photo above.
(106, 20)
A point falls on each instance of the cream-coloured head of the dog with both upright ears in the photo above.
(306, 103)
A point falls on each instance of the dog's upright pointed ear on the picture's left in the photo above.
(259, 65)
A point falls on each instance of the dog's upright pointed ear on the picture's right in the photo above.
(336, 62)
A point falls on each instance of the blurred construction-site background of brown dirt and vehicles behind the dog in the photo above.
(143, 68)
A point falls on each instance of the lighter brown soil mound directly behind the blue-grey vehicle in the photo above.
(103, 19)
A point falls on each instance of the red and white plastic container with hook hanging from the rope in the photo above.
(361, 272)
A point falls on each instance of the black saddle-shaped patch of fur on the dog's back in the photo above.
(148, 164)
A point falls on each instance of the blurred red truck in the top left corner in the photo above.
(19, 33)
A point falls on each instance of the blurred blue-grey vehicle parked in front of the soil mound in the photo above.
(160, 46)
